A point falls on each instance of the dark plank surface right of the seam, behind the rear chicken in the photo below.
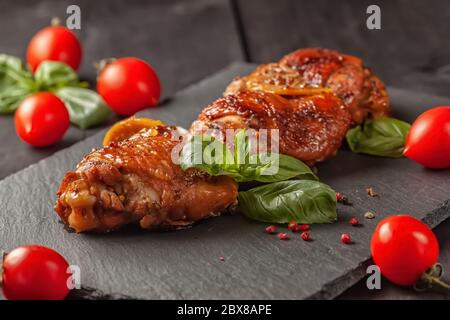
(410, 50)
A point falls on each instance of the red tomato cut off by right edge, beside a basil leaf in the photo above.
(428, 140)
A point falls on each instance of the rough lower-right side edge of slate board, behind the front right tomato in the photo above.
(336, 287)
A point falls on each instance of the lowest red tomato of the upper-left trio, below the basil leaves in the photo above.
(41, 119)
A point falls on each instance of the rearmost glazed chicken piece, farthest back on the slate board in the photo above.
(312, 71)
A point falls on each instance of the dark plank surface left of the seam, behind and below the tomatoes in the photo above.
(184, 41)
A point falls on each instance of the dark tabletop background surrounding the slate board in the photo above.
(187, 40)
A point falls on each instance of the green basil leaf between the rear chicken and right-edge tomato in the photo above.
(383, 137)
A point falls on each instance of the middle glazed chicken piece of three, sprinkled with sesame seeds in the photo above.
(310, 128)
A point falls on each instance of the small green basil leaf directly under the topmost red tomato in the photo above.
(51, 75)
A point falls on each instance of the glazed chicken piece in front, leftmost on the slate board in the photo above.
(136, 181)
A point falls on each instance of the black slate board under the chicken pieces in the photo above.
(186, 264)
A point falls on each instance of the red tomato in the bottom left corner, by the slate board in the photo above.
(35, 273)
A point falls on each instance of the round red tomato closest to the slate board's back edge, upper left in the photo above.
(129, 85)
